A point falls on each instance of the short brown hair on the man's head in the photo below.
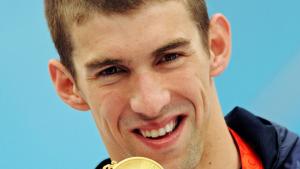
(61, 14)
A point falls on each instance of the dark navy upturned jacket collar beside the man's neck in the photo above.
(259, 133)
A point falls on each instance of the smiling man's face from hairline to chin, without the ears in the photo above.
(145, 77)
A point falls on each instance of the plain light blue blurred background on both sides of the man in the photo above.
(37, 130)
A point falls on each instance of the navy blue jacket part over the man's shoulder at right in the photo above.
(277, 146)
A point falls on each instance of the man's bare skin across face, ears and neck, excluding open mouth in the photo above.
(145, 87)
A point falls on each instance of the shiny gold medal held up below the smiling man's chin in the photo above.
(134, 163)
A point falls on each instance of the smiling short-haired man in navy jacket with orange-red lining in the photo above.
(146, 71)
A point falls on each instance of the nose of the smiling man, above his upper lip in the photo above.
(149, 96)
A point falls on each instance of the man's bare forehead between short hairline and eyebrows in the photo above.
(143, 30)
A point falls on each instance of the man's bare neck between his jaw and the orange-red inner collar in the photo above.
(219, 147)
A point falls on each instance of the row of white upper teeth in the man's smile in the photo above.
(159, 132)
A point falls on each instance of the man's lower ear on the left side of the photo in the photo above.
(65, 86)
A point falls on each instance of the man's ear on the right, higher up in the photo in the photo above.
(219, 44)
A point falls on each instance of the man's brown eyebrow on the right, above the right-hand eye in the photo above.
(180, 42)
